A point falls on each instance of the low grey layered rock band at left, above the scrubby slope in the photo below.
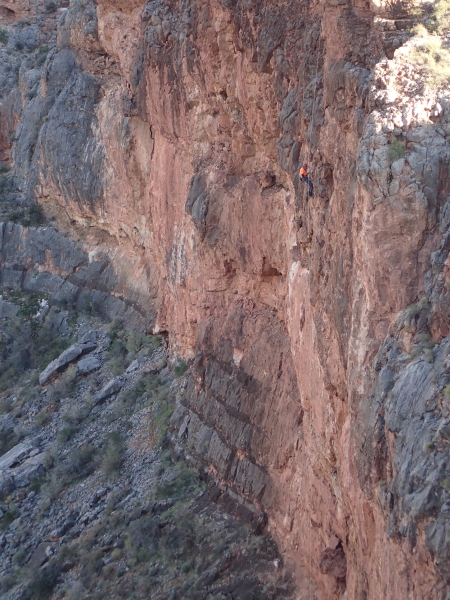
(81, 277)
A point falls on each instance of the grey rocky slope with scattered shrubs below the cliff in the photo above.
(94, 503)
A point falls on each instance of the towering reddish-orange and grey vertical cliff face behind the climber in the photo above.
(317, 326)
